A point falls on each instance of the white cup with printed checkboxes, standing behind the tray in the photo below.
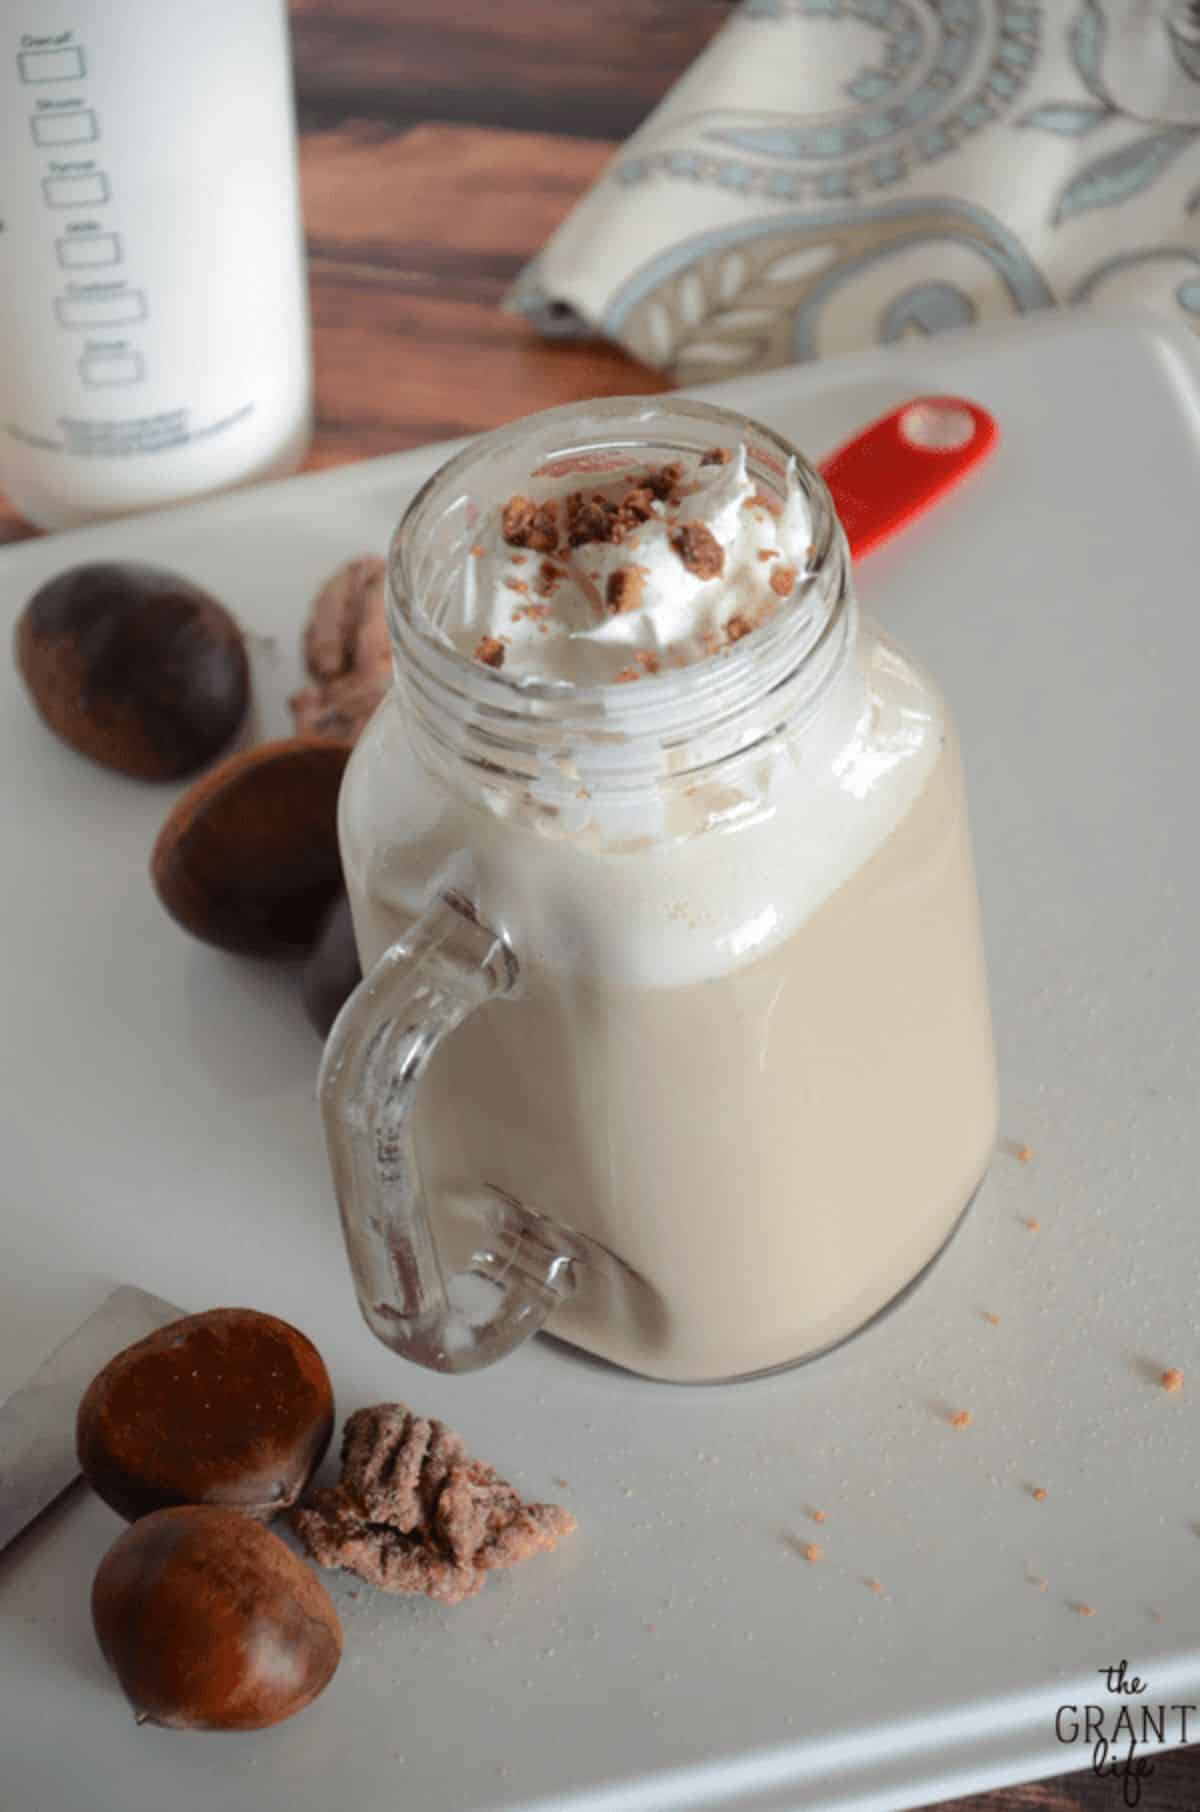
(153, 298)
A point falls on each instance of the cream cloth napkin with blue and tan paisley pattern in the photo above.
(835, 173)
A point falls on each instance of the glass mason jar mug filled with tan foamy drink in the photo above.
(673, 1036)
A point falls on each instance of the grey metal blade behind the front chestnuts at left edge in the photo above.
(37, 1422)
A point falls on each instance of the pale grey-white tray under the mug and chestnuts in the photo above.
(679, 1653)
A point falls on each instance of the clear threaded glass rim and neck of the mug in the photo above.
(615, 742)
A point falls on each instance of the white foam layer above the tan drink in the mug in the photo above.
(670, 911)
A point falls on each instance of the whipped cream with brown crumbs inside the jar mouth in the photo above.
(605, 577)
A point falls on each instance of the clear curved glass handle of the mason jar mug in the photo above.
(425, 987)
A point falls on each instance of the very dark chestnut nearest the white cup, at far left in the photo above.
(135, 668)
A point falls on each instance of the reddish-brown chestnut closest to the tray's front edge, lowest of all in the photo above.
(211, 1624)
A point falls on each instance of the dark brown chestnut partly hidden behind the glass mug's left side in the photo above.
(249, 858)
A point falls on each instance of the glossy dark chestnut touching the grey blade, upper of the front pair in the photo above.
(229, 1409)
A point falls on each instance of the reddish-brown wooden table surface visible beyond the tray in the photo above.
(441, 144)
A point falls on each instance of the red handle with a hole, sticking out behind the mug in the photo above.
(904, 463)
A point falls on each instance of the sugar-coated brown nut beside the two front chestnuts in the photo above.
(414, 1514)
